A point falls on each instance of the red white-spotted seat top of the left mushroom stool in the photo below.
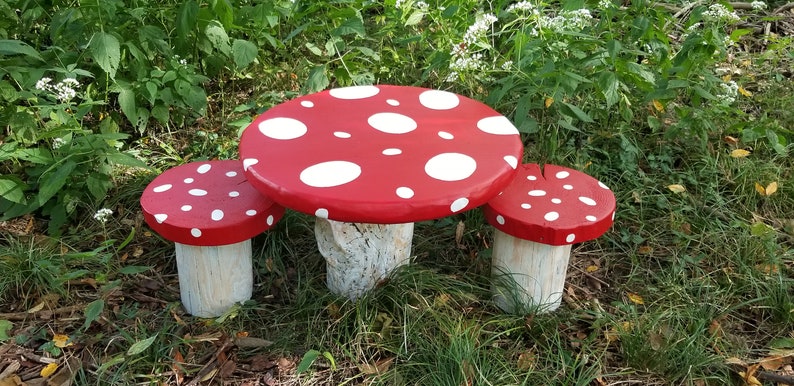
(207, 203)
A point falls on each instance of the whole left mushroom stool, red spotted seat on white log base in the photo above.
(211, 212)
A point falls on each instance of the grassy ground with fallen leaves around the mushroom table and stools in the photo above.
(687, 288)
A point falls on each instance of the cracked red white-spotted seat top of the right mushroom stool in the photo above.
(553, 206)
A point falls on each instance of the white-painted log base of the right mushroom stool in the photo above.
(528, 276)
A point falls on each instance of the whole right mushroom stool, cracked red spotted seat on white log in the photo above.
(537, 218)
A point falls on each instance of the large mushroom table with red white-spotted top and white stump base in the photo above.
(369, 161)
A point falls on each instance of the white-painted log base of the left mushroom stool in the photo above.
(212, 279)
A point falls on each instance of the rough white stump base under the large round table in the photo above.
(360, 255)
